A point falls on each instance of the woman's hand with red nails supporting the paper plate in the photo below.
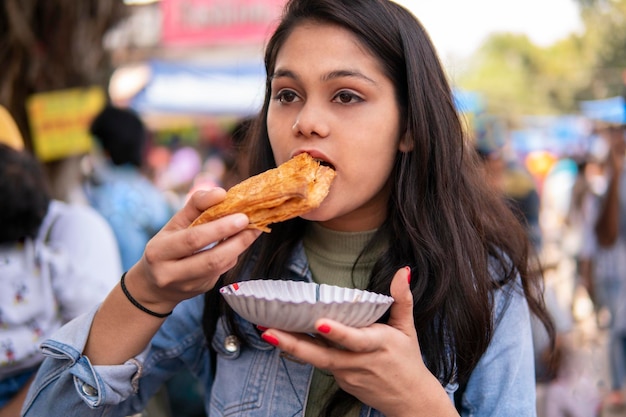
(380, 364)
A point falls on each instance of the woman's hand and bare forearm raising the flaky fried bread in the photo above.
(174, 267)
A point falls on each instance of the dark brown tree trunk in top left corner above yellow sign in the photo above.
(47, 45)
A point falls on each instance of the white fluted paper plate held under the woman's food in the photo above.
(296, 305)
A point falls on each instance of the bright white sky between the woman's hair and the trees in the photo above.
(458, 27)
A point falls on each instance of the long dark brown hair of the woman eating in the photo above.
(445, 222)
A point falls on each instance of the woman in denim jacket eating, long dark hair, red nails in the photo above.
(358, 85)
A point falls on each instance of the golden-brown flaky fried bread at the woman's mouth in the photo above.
(290, 190)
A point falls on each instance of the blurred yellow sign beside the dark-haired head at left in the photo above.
(59, 121)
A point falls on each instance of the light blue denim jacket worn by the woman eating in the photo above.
(255, 379)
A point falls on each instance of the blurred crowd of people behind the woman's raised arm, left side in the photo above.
(58, 259)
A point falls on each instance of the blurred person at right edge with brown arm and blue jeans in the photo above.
(609, 270)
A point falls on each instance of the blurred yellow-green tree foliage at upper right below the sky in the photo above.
(518, 77)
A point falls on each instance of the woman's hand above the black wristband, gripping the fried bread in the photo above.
(177, 264)
